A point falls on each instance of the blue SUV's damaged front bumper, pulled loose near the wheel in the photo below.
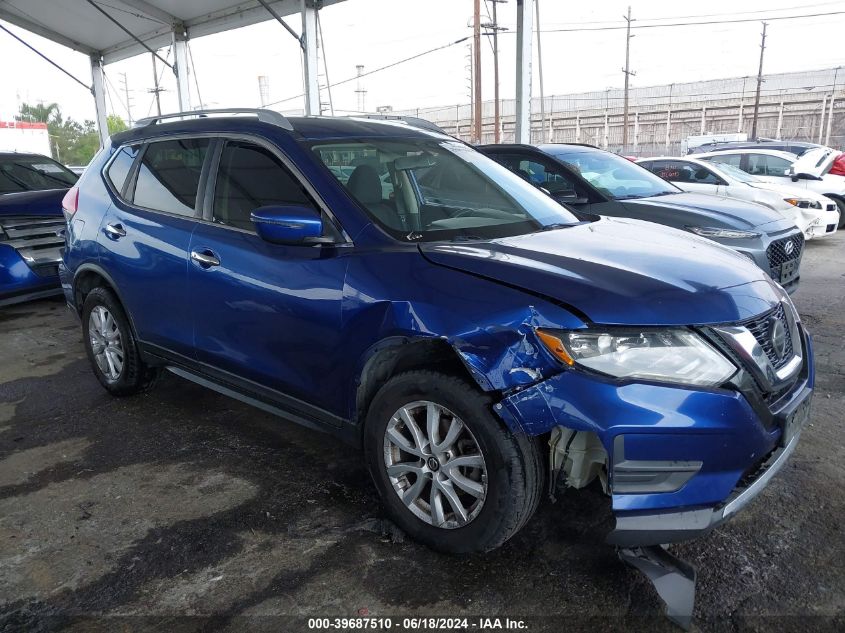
(697, 455)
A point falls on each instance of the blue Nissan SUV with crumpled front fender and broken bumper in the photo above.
(387, 283)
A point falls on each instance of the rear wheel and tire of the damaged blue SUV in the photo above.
(111, 346)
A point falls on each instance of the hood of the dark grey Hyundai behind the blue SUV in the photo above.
(726, 212)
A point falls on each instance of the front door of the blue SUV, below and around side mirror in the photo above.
(266, 315)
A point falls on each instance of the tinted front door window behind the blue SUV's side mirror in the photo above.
(249, 177)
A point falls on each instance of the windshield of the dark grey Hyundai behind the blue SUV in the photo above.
(614, 176)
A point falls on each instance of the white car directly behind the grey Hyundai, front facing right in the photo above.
(813, 213)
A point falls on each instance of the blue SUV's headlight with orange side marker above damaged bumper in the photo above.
(675, 355)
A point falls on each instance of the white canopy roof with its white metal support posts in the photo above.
(111, 30)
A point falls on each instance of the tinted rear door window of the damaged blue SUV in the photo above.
(169, 175)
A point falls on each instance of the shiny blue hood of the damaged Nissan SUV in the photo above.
(621, 271)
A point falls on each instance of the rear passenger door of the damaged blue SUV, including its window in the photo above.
(145, 234)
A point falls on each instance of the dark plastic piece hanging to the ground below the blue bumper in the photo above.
(673, 579)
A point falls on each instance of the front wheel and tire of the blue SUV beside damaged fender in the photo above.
(451, 475)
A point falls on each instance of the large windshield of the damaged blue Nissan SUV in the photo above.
(432, 190)
